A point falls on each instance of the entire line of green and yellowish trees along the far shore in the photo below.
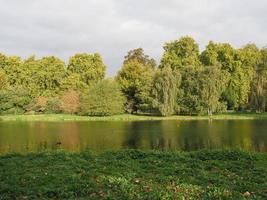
(186, 81)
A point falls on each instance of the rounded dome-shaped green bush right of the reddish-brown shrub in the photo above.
(103, 98)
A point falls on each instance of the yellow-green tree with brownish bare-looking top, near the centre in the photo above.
(136, 80)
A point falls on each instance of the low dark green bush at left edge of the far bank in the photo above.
(14, 101)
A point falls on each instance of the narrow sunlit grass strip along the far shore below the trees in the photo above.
(128, 117)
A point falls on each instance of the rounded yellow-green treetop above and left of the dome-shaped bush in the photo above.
(89, 66)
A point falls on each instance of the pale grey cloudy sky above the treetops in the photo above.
(112, 27)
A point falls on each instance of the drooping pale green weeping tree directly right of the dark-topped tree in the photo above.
(165, 89)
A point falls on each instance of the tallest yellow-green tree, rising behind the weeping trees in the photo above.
(183, 55)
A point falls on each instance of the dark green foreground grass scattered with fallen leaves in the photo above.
(132, 174)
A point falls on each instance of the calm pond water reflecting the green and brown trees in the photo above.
(26, 137)
